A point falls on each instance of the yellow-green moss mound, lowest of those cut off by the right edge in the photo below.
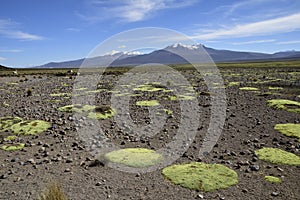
(277, 156)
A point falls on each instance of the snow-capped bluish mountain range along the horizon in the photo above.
(173, 54)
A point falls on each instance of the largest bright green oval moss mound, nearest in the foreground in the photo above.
(201, 176)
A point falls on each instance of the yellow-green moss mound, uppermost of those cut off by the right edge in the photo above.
(284, 104)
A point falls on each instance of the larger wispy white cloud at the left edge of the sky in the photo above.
(8, 29)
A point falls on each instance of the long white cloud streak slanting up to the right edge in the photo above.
(266, 27)
